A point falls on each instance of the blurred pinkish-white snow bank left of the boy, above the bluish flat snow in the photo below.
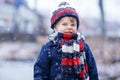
(18, 50)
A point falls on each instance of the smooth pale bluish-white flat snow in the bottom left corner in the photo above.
(15, 70)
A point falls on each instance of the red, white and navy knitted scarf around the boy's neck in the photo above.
(73, 55)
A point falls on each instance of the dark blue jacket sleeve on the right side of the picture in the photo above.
(92, 68)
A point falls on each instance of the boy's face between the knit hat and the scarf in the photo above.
(66, 25)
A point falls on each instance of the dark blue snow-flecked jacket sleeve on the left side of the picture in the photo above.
(41, 66)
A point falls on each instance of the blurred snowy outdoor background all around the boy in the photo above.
(25, 26)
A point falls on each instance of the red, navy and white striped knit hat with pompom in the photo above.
(63, 10)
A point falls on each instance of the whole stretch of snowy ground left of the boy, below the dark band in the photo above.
(17, 59)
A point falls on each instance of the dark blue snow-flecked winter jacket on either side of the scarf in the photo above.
(48, 64)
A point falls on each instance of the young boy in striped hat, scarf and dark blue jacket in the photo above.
(66, 56)
